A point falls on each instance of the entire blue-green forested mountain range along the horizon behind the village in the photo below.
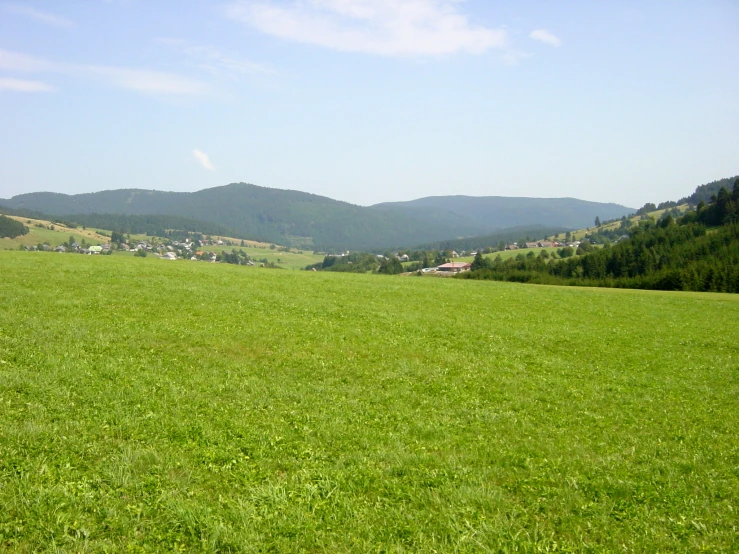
(311, 221)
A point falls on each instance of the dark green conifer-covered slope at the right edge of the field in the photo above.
(698, 252)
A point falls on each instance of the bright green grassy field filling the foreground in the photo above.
(149, 406)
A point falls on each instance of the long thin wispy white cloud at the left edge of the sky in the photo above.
(139, 80)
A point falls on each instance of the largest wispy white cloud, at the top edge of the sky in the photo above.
(384, 27)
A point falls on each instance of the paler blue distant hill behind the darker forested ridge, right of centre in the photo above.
(491, 213)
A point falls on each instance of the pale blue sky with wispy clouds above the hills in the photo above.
(371, 101)
